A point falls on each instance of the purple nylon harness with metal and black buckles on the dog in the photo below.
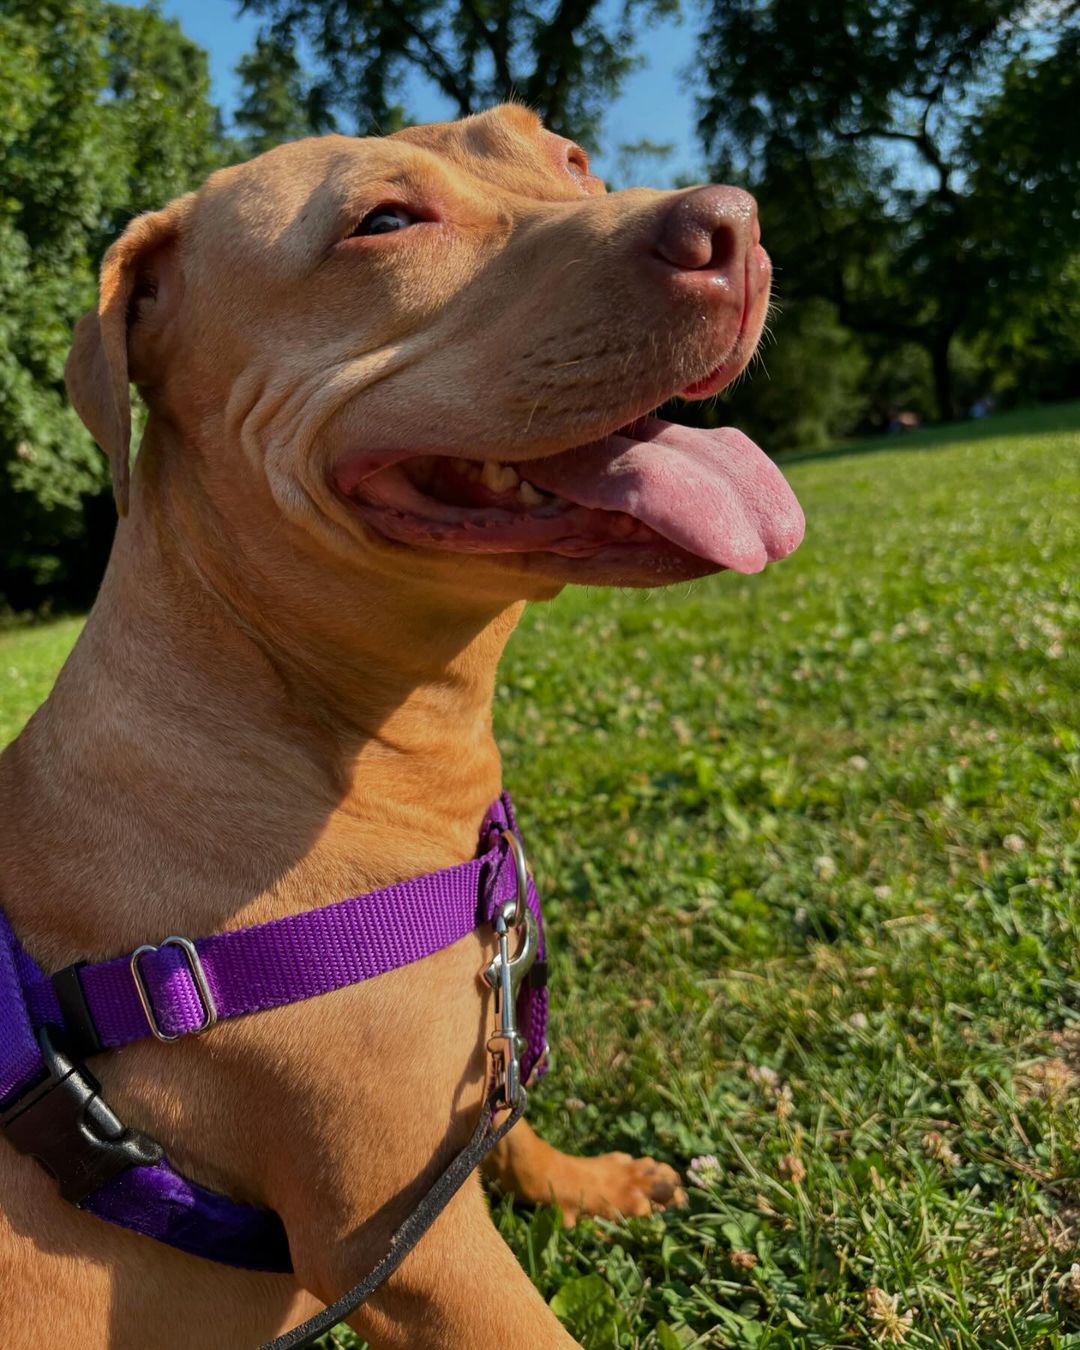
(51, 1105)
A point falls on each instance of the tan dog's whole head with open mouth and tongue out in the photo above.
(437, 353)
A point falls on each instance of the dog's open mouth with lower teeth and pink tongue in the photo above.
(666, 497)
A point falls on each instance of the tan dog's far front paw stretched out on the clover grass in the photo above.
(611, 1185)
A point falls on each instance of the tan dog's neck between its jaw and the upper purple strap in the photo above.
(248, 766)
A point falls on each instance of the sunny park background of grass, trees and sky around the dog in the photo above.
(809, 842)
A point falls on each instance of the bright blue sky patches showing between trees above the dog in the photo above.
(657, 102)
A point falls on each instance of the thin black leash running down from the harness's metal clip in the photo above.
(485, 1137)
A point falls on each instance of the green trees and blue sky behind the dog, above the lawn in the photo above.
(917, 167)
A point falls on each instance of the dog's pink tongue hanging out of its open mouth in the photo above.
(713, 493)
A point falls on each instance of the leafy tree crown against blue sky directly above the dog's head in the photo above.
(566, 59)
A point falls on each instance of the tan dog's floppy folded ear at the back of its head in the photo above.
(121, 341)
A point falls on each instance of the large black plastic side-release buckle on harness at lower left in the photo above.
(65, 1124)
